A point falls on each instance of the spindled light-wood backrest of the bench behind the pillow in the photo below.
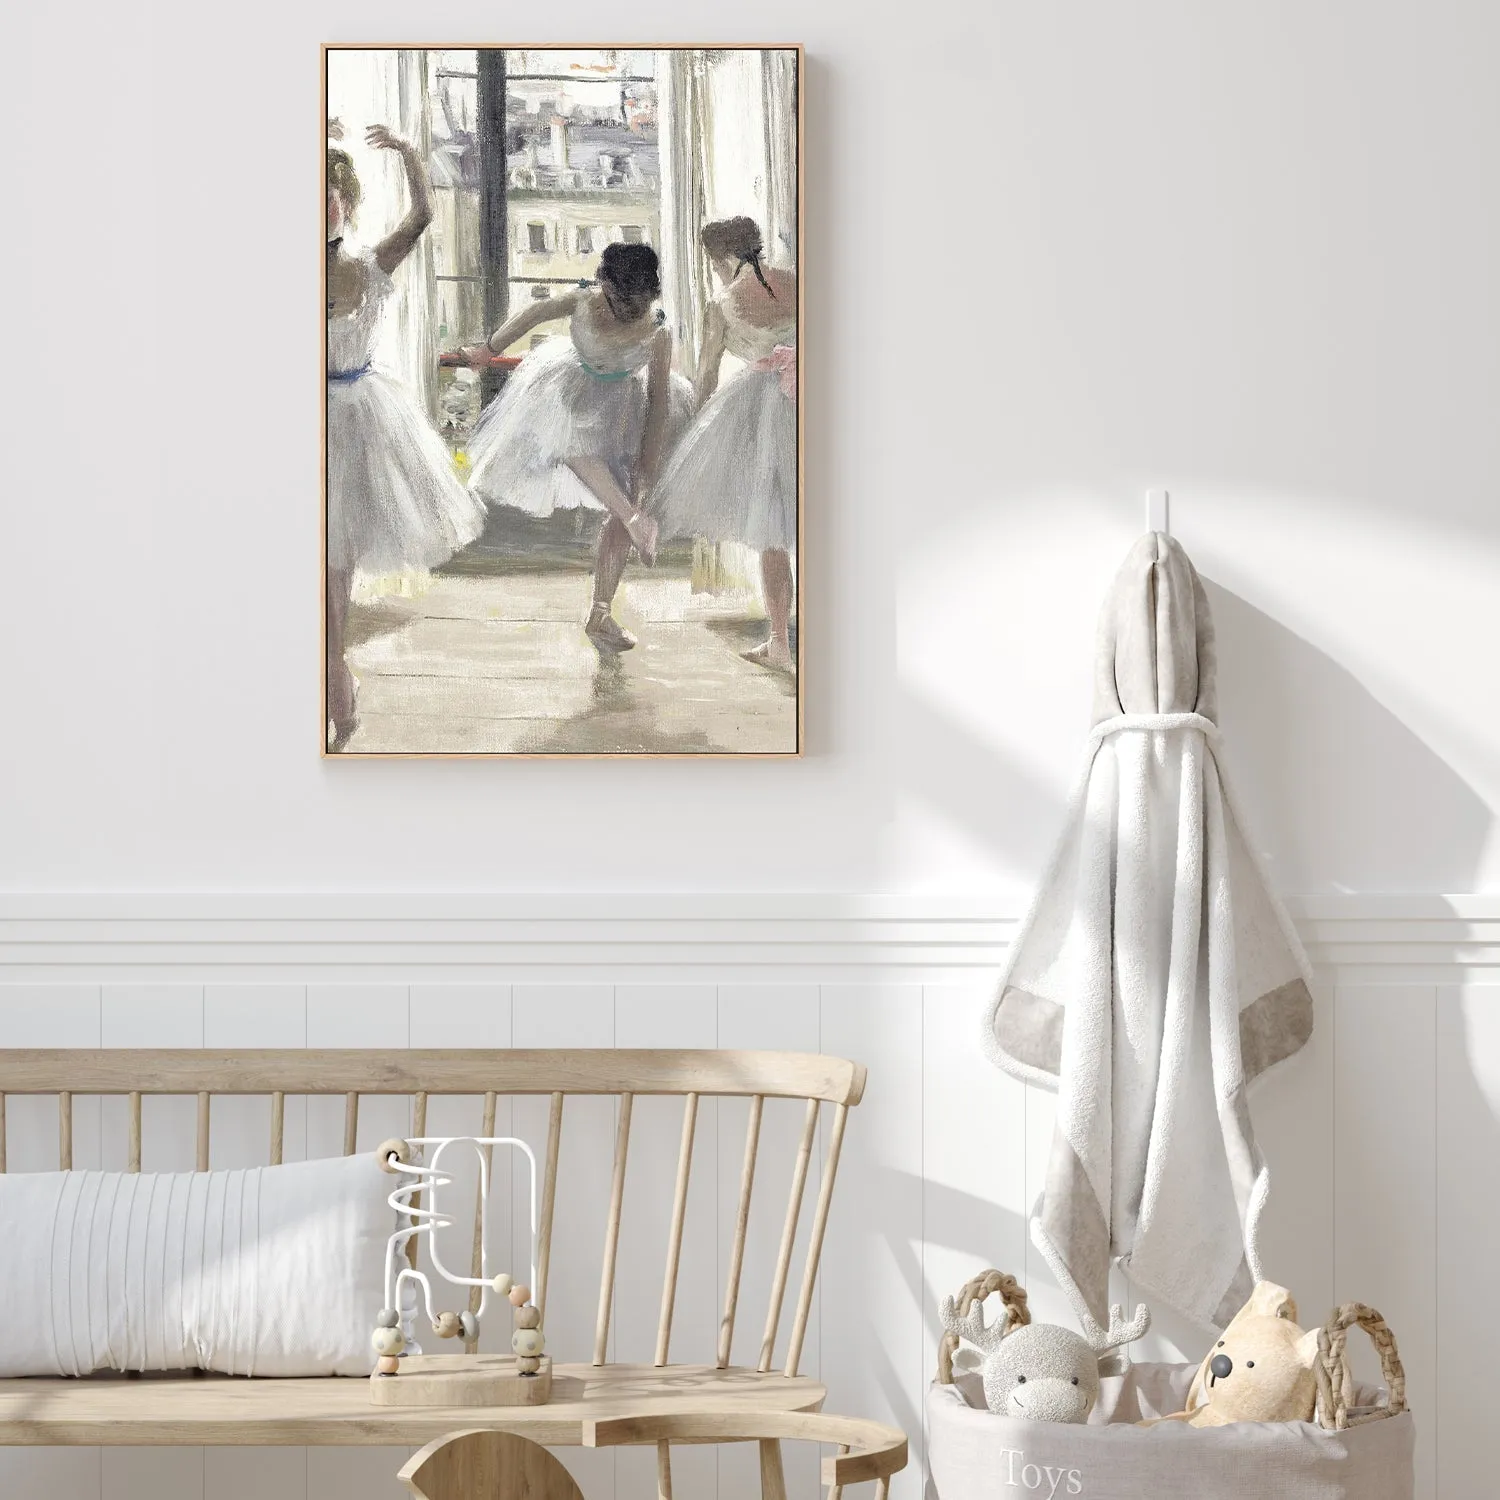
(826, 1087)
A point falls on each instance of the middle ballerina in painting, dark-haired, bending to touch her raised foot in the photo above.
(586, 421)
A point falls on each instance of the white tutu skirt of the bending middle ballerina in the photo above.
(556, 410)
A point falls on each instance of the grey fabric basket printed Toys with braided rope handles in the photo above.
(1360, 1447)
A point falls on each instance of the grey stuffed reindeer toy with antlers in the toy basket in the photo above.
(1042, 1372)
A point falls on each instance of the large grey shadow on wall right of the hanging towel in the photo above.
(1339, 791)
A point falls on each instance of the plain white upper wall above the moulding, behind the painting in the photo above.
(1246, 251)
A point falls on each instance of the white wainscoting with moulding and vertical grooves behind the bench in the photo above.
(1384, 1138)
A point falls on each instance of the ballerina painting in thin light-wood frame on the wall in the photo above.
(562, 422)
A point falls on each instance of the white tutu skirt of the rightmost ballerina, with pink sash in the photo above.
(734, 475)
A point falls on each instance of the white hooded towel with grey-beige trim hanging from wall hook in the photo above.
(1154, 977)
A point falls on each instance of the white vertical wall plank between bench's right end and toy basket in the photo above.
(874, 1298)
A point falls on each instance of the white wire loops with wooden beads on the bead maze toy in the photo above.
(406, 1159)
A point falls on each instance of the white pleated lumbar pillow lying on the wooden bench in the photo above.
(274, 1271)
